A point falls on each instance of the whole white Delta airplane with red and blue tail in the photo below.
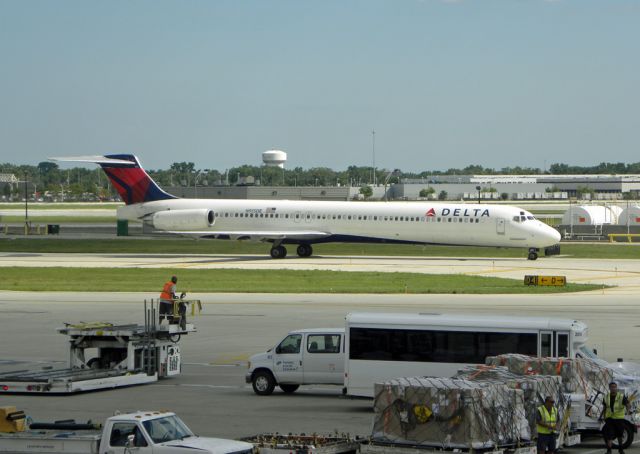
(303, 223)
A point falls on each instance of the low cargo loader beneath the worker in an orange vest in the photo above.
(126, 355)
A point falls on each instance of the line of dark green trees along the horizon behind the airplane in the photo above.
(86, 183)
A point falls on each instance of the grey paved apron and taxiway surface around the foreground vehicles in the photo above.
(211, 395)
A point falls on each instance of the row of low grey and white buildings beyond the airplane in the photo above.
(443, 187)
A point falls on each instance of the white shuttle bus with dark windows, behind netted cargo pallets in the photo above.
(383, 346)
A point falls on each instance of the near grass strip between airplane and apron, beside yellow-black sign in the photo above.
(261, 281)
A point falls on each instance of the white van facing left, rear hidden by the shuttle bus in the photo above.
(303, 357)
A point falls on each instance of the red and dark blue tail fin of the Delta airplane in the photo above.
(131, 181)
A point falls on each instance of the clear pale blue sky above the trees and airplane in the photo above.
(443, 83)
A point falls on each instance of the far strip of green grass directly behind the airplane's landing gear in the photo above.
(186, 246)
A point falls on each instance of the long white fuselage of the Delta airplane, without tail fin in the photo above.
(405, 222)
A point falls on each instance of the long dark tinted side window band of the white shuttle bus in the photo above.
(437, 346)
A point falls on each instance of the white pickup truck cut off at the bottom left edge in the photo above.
(144, 432)
